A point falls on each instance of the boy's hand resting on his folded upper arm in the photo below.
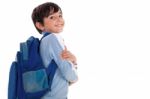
(68, 56)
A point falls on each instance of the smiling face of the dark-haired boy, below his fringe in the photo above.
(53, 23)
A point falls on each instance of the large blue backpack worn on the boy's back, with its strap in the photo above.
(28, 77)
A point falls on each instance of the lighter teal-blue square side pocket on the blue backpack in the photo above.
(34, 81)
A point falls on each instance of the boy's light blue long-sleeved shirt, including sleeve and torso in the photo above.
(51, 48)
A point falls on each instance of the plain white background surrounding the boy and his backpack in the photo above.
(111, 39)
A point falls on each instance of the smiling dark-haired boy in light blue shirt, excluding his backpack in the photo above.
(48, 18)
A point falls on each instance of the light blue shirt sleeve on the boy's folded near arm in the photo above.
(66, 68)
